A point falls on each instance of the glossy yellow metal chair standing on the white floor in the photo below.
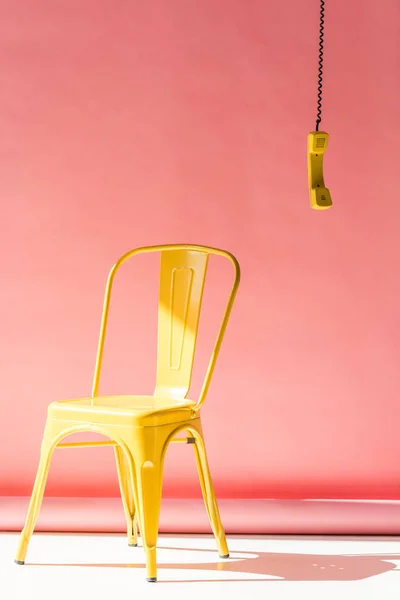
(141, 427)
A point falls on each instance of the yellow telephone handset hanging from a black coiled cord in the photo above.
(320, 197)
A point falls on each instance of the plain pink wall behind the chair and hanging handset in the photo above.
(129, 123)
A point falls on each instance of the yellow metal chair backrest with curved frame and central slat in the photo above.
(182, 277)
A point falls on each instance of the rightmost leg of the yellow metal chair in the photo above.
(209, 496)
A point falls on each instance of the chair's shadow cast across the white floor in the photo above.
(270, 566)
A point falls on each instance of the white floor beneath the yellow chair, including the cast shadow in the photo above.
(67, 566)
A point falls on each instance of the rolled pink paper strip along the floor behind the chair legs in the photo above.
(183, 515)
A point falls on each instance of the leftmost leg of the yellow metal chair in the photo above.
(37, 496)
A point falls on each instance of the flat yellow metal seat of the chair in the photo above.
(123, 410)
